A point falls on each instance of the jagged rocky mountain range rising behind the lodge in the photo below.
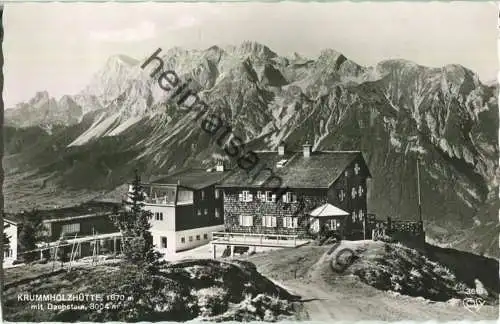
(394, 112)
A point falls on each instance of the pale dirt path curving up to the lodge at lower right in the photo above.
(328, 296)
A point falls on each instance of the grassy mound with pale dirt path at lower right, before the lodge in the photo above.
(306, 271)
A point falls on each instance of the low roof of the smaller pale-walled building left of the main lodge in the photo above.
(192, 178)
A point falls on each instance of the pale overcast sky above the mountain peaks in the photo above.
(57, 47)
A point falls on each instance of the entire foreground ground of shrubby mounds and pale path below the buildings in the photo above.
(384, 281)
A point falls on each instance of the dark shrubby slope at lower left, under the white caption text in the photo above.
(201, 288)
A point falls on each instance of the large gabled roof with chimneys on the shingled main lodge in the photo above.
(320, 170)
